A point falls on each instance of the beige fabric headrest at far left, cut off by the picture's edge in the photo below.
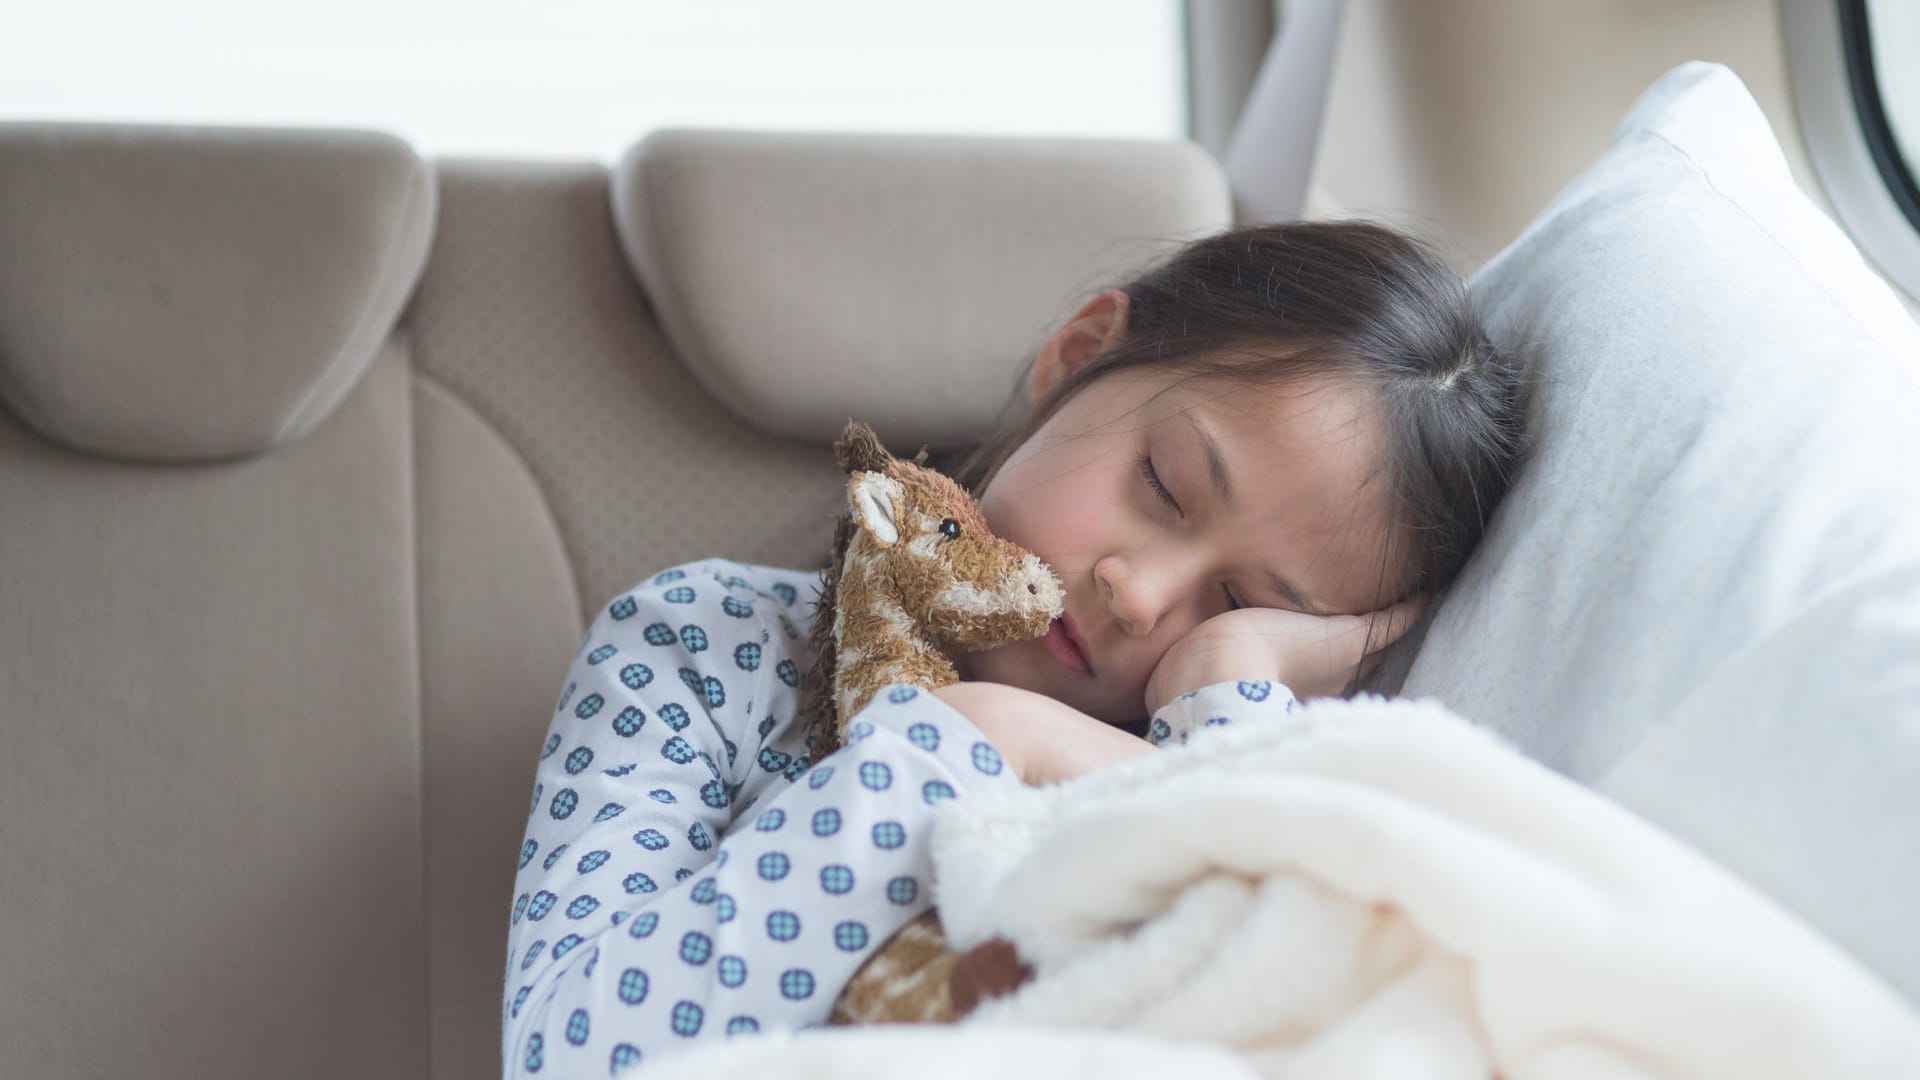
(185, 295)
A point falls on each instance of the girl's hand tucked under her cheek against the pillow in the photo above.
(1312, 654)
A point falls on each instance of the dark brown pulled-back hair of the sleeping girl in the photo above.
(1332, 299)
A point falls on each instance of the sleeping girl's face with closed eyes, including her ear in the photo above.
(1272, 499)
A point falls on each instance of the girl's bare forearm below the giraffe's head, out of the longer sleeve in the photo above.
(1040, 739)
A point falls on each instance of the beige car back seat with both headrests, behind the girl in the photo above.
(314, 462)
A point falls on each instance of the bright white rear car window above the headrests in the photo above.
(588, 78)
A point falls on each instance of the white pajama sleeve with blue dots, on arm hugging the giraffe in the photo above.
(688, 873)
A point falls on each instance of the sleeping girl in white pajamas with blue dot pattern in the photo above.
(1249, 468)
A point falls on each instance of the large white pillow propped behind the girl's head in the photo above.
(1704, 593)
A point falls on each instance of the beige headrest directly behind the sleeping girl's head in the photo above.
(903, 282)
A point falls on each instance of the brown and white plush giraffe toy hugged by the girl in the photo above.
(915, 579)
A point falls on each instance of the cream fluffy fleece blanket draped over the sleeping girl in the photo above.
(1370, 891)
